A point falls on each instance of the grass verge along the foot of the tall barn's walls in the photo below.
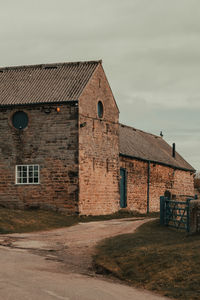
(12, 221)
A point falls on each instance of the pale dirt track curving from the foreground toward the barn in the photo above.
(64, 255)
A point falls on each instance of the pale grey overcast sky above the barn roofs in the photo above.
(150, 51)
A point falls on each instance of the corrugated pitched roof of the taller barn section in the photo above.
(44, 83)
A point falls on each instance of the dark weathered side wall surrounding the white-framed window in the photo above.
(50, 140)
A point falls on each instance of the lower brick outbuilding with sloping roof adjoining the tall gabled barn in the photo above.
(152, 168)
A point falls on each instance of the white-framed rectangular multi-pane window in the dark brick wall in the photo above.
(27, 174)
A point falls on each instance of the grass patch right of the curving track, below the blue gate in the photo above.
(155, 258)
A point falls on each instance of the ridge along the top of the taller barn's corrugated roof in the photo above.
(42, 66)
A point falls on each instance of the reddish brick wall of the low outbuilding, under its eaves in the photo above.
(162, 178)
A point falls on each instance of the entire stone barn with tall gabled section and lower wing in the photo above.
(62, 147)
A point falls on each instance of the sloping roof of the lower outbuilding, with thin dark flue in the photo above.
(142, 145)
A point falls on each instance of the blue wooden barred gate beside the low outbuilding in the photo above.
(175, 213)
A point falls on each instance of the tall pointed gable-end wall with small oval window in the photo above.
(98, 149)
